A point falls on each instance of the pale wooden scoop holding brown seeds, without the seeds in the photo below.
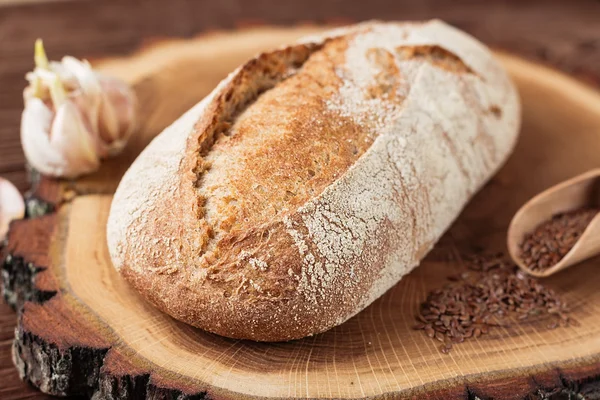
(574, 193)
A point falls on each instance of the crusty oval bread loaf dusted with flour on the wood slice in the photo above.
(312, 178)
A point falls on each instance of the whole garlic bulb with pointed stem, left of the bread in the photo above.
(73, 117)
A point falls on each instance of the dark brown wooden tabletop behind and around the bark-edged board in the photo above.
(562, 33)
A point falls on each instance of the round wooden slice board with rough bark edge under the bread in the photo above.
(82, 331)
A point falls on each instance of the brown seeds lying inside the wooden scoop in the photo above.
(552, 240)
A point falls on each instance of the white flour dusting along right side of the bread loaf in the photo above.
(423, 101)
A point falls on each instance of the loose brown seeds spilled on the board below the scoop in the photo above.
(492, 292)
